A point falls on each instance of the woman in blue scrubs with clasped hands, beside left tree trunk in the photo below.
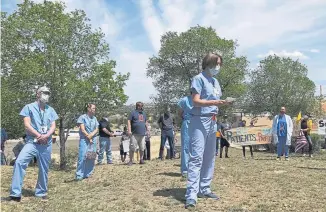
(88, 129)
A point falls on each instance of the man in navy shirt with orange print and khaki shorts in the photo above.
(137, 127)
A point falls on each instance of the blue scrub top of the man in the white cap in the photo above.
(38, 118)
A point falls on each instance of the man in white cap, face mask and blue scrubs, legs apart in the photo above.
(39, 121)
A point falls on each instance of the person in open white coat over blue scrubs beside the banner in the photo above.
(282, 132)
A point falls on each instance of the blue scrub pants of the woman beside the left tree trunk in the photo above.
(85, 167)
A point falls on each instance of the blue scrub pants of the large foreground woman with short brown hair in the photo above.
(202, 147)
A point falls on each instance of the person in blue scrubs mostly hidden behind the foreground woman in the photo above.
(185, 105)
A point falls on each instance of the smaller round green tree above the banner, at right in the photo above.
(278, 82)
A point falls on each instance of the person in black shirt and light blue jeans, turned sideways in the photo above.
(104, 140)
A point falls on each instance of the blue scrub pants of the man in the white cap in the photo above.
(43, 155)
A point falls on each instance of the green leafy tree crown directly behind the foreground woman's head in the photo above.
(180, 58)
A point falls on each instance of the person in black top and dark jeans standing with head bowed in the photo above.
(166, 123)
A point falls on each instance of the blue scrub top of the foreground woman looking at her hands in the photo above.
(209, 89)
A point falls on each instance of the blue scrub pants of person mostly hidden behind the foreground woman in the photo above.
(184, 146)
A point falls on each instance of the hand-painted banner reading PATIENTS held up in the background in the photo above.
(250, 135)
